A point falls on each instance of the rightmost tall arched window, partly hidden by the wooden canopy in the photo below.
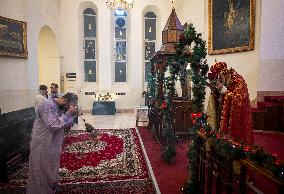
(150, 39)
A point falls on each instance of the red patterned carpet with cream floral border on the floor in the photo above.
(112, 164)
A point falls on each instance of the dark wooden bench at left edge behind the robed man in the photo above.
(15, 134)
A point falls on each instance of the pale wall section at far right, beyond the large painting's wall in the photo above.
(271, 59)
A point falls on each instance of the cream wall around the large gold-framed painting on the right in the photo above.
(245, 63)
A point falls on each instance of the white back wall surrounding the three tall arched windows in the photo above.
(72, 49)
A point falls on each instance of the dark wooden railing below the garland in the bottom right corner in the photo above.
(216, 174)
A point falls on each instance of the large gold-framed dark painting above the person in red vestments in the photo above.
(231, 26)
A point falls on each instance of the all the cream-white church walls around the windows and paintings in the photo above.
(262, 68)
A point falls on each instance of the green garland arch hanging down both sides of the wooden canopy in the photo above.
(199, 69)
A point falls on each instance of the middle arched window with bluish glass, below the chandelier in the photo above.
(120, 45)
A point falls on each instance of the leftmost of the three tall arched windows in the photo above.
(90, 35)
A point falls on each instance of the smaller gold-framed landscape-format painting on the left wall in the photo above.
(13, 38)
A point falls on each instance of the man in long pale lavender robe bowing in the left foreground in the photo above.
(46, 144)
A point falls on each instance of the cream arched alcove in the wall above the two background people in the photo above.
(48, 58)
